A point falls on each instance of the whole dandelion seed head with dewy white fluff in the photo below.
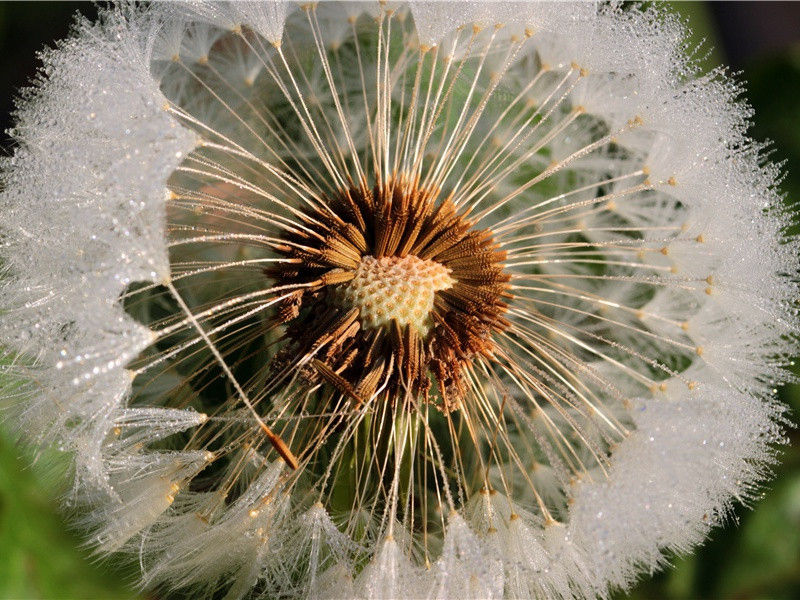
(431, 300)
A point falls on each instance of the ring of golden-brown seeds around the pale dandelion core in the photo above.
(397, 219)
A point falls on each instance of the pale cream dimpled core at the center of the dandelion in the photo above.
(395, 289)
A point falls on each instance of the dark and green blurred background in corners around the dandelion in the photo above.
(757, 556)
